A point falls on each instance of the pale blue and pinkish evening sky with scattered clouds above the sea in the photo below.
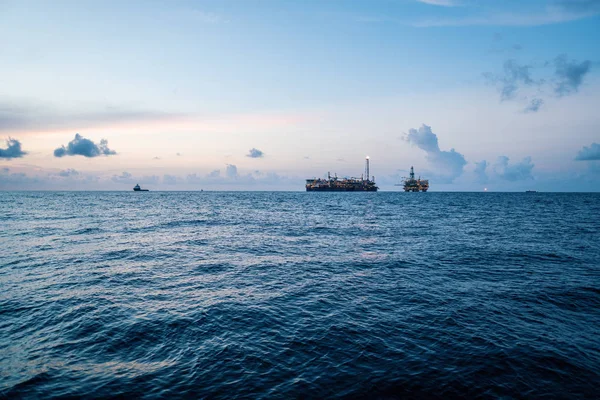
(500, 95)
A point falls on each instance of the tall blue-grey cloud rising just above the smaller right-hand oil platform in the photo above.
(448, 164)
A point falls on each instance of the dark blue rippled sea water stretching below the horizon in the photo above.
(287, 295)
